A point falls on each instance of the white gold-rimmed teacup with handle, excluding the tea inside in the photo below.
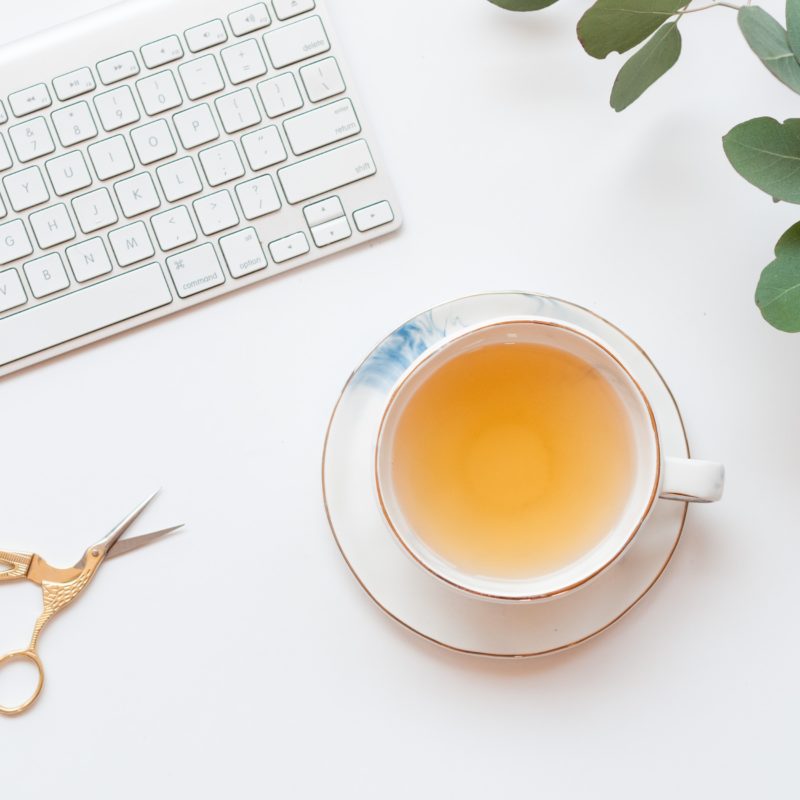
(655, 476)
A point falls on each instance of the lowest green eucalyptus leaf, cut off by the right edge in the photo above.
(778, 292)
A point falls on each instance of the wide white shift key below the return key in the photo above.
(326, 172)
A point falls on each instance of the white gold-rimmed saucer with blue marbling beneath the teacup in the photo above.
(409, 593)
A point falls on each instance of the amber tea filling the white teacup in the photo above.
(513, 459)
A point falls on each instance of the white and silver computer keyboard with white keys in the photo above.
(164, 152)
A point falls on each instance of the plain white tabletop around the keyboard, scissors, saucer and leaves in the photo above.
(242, 659)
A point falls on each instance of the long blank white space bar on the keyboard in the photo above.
(82, 312)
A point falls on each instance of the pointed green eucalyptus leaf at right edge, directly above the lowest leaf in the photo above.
(767, 153)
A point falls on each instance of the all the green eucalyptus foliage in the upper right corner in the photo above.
(763, 151)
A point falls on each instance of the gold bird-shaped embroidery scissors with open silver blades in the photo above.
(60, 587)
